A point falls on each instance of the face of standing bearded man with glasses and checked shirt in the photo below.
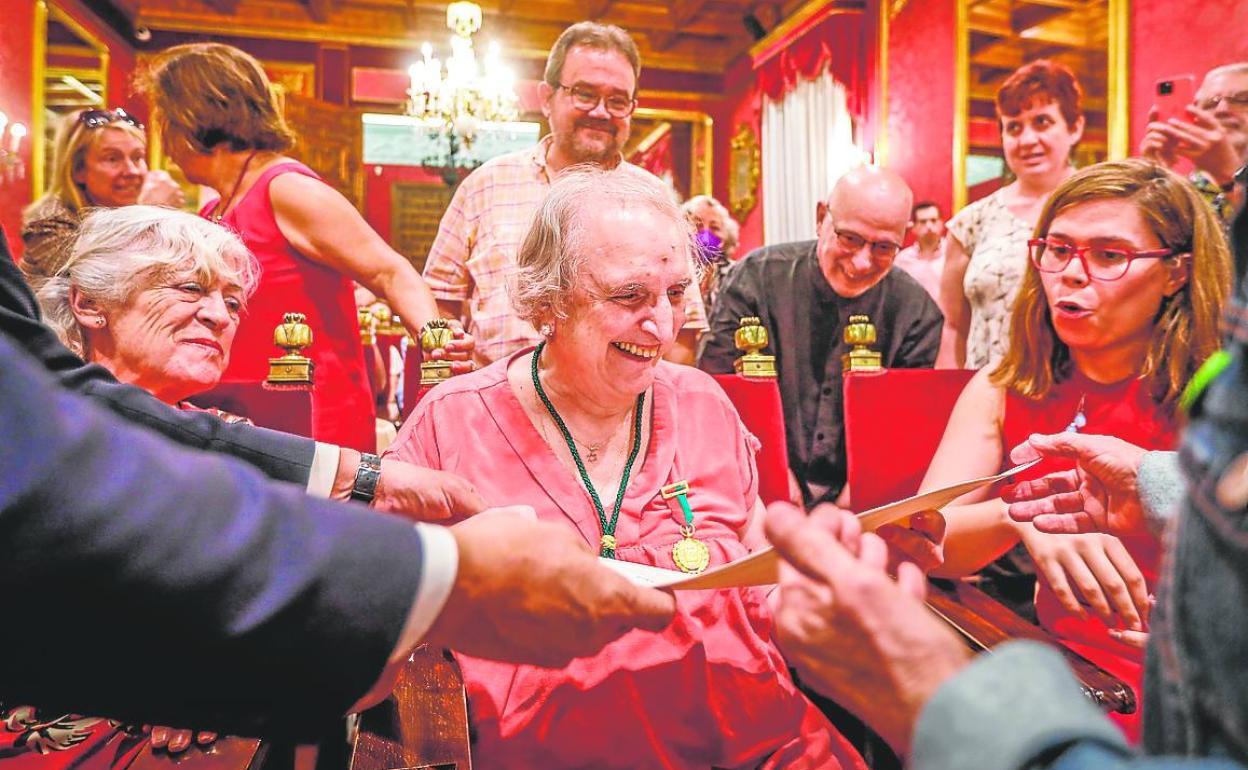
(595, 137)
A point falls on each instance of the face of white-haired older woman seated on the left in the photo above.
(172, 339)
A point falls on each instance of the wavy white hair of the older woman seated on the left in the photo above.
(122, 251)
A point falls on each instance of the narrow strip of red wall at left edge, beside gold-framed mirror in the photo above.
(17, 37)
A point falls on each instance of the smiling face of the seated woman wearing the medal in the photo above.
(628, 305)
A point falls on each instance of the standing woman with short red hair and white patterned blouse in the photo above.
(1041, 114)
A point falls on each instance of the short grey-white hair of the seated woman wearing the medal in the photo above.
(551, 258)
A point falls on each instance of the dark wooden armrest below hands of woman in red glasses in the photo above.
(985, 623)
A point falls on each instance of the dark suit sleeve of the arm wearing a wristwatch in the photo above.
(279, 455)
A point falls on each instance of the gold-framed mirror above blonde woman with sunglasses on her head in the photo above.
(72, 67)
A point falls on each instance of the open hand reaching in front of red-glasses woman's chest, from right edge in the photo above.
(1099, 495)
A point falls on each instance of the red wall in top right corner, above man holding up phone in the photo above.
(1212, 33)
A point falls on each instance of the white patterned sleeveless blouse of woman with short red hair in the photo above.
(997, 241)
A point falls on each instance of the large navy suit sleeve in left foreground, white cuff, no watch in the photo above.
(157, 585)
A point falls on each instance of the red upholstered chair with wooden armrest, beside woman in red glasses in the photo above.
(894, 422)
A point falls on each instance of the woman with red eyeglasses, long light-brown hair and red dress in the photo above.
(1120, 304)
